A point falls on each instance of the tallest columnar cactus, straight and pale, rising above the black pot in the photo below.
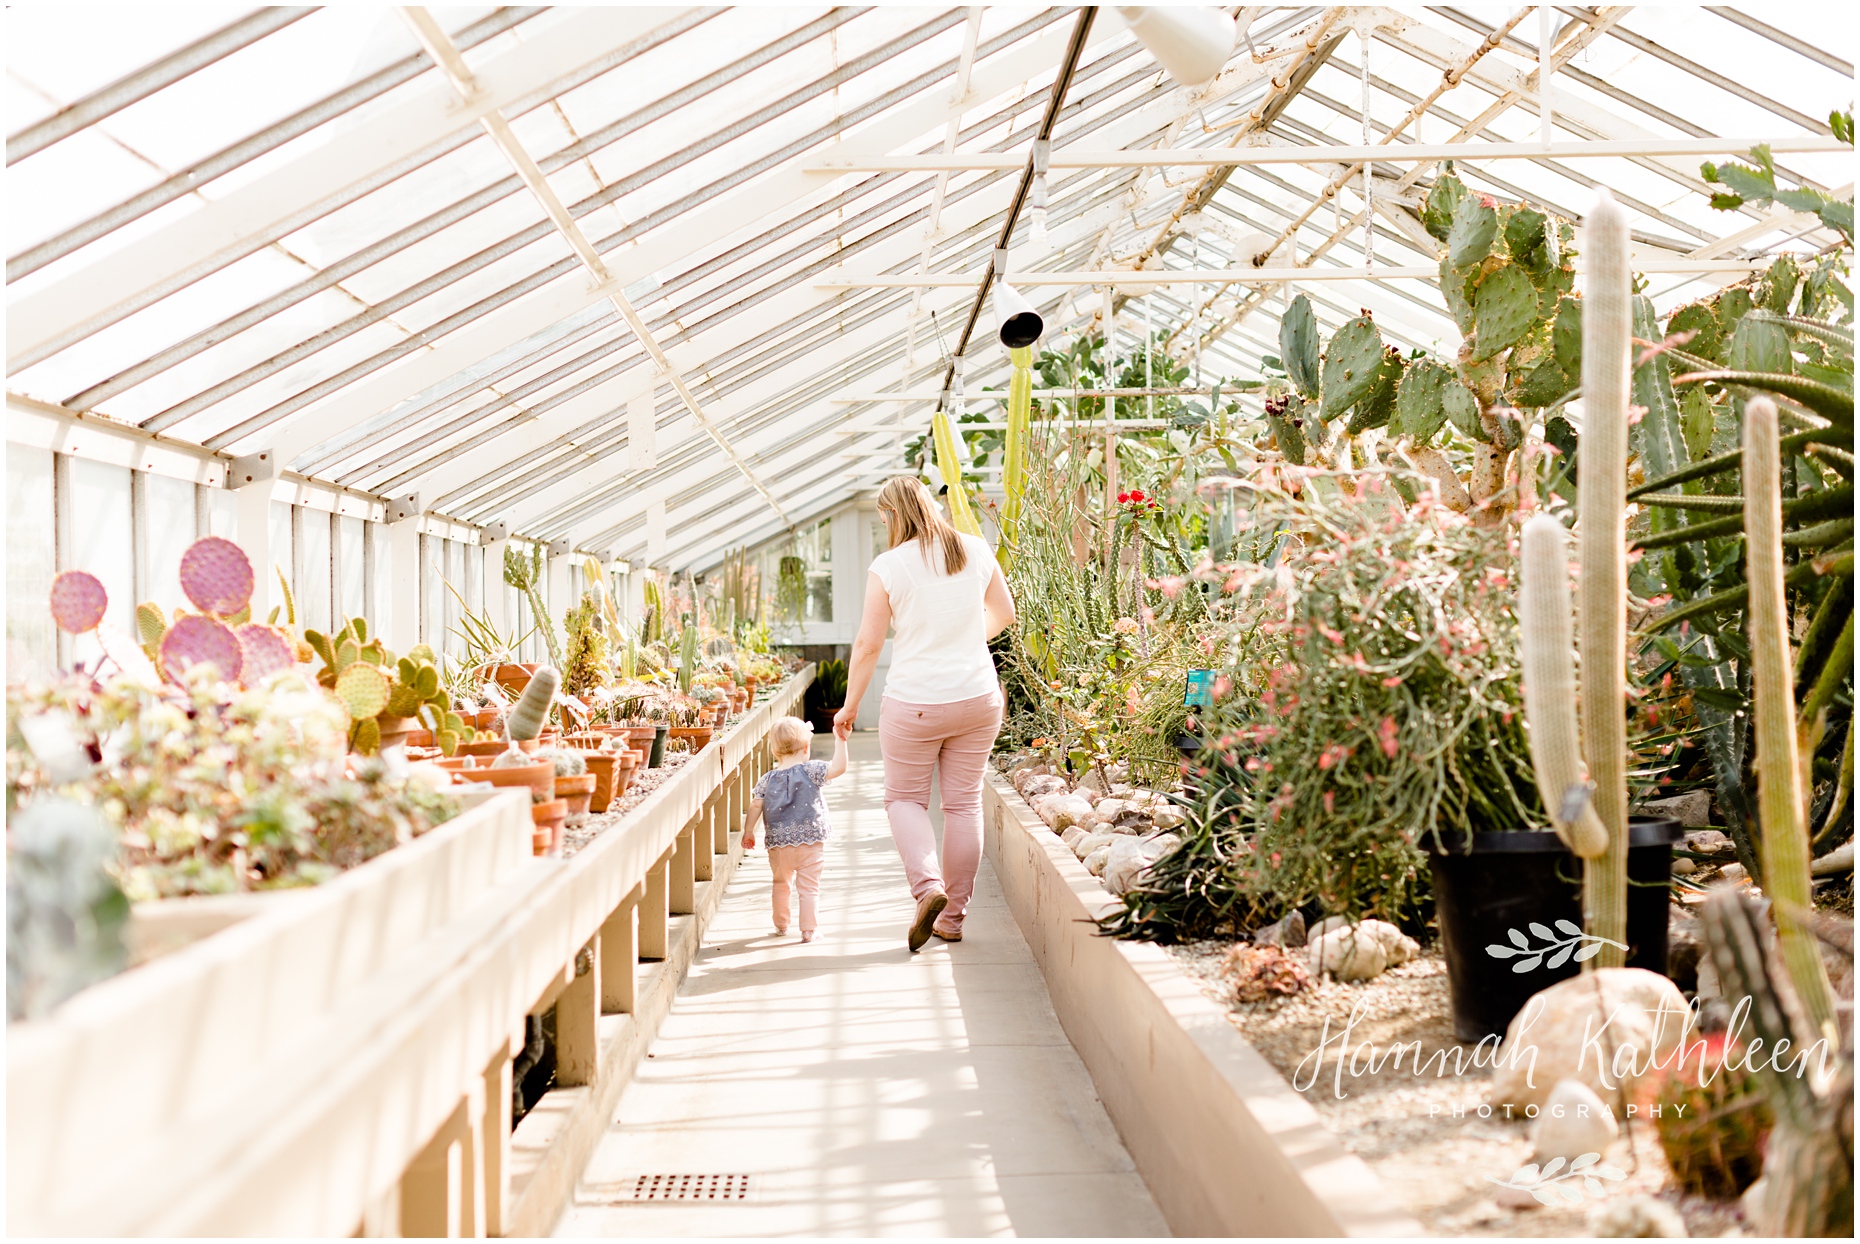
(1602, 548)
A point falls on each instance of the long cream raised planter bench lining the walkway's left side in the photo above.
(343, 1063)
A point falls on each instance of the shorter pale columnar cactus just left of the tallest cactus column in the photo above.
(1550, 689)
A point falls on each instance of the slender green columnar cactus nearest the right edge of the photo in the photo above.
(1781, 806)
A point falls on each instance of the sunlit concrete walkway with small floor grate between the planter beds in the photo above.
(866, 1091)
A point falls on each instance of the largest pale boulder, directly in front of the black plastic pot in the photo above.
(1608, 1029)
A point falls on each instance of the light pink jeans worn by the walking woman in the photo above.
(951, 743)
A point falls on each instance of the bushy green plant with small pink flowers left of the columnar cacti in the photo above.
(1368, 698)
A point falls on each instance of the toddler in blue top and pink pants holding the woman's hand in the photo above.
(790, 801)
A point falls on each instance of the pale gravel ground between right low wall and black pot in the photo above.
(1403, 1124)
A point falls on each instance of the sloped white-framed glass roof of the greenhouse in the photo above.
(555, 267)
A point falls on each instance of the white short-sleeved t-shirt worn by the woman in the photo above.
(940, 639)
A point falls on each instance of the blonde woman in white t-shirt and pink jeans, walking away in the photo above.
(946, 598)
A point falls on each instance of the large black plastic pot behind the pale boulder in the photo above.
(1513, 884)
